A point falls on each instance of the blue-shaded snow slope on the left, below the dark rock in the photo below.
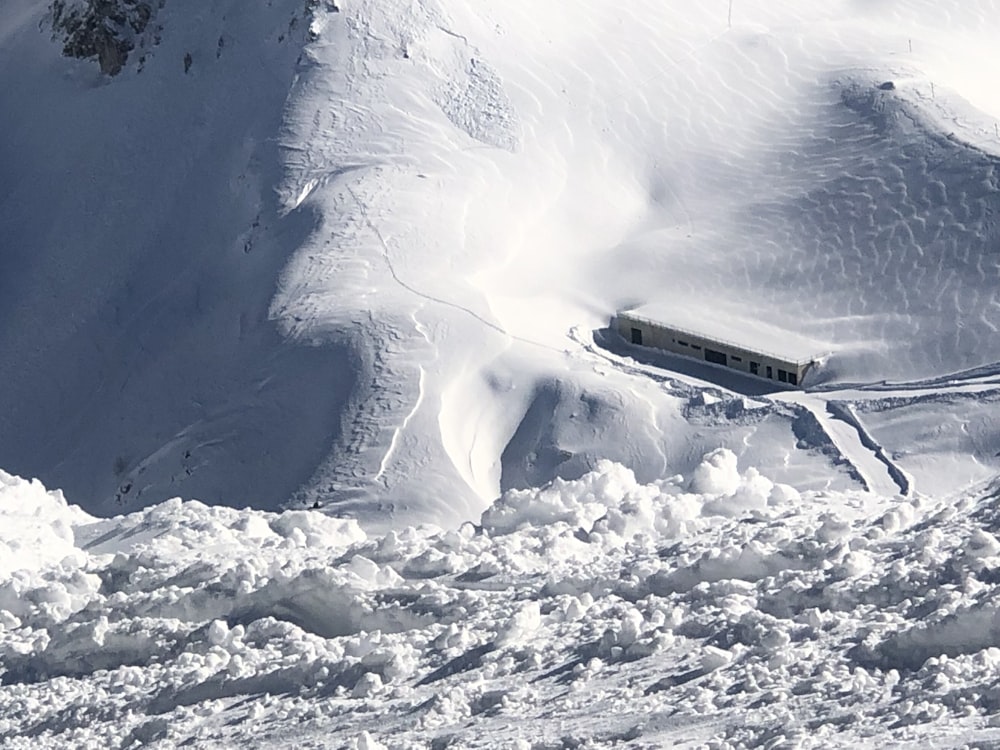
(140, 246)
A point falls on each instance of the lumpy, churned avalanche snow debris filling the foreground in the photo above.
(717, 610)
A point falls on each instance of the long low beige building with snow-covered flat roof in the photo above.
(752, 347)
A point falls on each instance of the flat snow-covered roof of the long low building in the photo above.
(749, 334)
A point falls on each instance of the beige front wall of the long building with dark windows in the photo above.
(689, 345)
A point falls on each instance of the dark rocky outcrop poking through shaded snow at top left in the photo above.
(107, 30)
